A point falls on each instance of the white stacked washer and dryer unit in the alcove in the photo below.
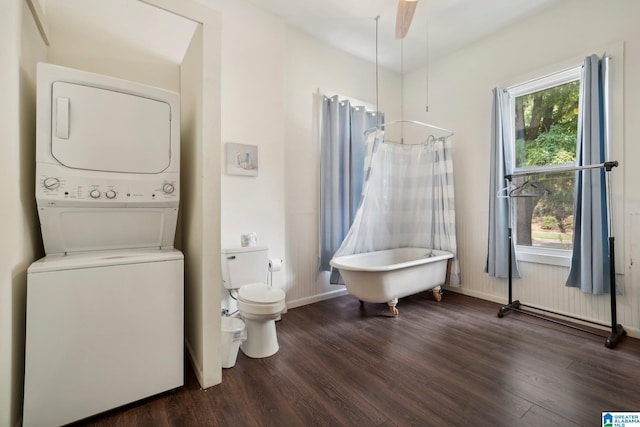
(105, 309)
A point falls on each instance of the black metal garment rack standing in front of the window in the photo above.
(617, 331)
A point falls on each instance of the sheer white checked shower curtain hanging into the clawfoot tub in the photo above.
(408, 200)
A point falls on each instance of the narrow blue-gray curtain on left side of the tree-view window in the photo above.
(501, 164)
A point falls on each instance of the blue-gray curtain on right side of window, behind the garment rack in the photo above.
(590, 260)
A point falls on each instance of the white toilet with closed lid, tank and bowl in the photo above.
(245, 269)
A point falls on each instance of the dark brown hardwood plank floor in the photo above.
(448, 363)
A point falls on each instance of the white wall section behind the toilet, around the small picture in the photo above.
(253, 57)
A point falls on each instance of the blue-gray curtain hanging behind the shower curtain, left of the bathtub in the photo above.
(342, 156)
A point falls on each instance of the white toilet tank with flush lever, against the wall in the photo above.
(241, 266)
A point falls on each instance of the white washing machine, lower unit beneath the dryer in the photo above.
(103, 330)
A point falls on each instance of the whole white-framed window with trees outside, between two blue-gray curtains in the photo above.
(544, 114)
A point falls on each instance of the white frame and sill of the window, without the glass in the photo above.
(536, 254)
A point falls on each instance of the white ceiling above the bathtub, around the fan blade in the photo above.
(350, 25)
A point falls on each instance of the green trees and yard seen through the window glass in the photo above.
(546, 125)
